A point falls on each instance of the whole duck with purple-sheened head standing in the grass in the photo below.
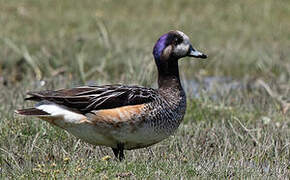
(118, 116)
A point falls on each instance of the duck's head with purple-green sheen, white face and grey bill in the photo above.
(173, 46)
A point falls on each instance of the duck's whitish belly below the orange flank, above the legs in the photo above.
(142, 137)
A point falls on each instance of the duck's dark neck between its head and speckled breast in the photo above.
(168, 75)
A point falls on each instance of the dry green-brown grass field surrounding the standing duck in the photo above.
(241, 133)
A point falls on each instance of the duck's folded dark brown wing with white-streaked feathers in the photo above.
(88, 98)
